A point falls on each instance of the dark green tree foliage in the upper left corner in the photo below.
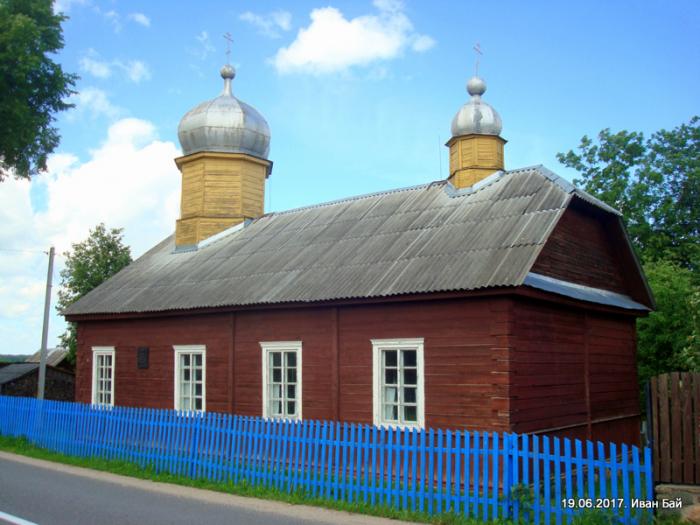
(33, 86)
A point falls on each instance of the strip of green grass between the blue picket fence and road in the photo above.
(24, 447)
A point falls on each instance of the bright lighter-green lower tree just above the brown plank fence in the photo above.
(668, 339)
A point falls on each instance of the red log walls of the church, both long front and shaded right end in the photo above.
(491, 363)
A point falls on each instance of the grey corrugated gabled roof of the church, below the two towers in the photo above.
(423, 239)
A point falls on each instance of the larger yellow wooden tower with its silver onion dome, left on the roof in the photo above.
(224, 166)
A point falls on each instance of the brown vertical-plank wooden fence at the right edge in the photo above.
(675, 427)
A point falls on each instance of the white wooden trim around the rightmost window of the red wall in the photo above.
(395, 344)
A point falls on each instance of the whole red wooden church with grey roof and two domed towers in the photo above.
(493, 300)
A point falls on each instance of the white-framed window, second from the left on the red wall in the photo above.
(190, 377)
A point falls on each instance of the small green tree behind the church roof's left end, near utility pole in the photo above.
(89, 264)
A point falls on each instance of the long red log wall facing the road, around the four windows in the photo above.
(466, 358)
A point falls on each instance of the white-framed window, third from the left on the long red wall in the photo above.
(281, 371)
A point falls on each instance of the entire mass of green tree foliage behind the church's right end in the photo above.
(655, 183)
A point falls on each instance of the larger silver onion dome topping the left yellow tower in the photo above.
(224, 124)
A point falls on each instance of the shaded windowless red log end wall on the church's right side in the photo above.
(574, 373)
